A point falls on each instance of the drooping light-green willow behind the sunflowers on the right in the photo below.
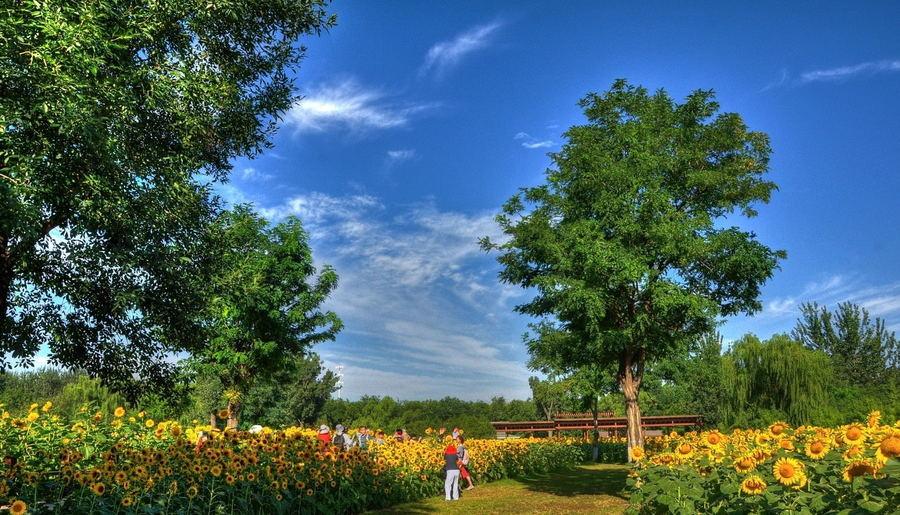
(779, 376)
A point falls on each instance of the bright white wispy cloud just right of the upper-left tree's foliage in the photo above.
(349, 106)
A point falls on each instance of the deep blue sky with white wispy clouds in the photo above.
(419, 119)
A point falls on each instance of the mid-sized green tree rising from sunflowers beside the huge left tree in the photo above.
(264, 303)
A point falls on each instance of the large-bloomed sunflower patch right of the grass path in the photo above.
(847, 469)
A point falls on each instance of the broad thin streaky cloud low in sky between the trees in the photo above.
(416, 293)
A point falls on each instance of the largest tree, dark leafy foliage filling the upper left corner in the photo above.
(110, 111)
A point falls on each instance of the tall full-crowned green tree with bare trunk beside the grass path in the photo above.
(626, 244)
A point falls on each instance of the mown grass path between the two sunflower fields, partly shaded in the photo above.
(595, 488)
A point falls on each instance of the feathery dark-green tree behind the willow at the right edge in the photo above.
(862, 351)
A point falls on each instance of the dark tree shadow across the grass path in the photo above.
(582, 480)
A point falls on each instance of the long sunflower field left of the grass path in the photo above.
(124, 462)
